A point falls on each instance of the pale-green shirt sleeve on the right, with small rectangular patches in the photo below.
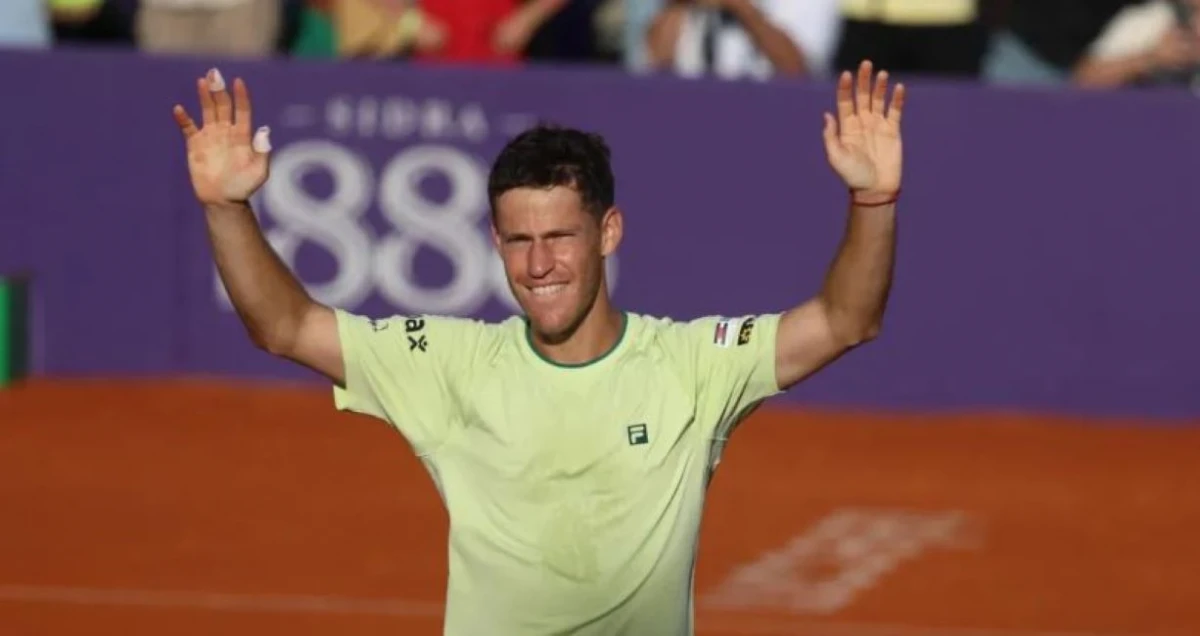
(735, 368)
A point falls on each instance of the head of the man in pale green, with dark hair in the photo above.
(555, 223)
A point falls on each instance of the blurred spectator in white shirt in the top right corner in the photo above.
(1147, 45)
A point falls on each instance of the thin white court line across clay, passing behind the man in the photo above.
(711, 621)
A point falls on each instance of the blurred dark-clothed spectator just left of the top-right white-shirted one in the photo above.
(1045, 40)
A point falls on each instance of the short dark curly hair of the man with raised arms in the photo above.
(550, 155)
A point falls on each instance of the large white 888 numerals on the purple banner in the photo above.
(368, 263)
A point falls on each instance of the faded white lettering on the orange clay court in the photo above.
(845, 554)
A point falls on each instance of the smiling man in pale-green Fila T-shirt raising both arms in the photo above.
(572, 446)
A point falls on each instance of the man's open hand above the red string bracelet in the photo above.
(863, 143)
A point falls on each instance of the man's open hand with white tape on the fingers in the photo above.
(227, 163)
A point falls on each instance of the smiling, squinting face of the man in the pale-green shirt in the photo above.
(554, 255)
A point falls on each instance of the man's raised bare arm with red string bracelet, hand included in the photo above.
(863, 147)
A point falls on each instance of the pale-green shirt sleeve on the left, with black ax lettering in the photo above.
(407, 371)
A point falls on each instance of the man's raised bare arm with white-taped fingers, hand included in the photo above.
(227, 164)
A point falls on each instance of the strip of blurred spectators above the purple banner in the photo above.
(1101, 44)
